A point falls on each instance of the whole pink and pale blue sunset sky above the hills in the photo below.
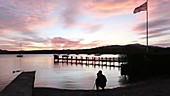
(81, 24)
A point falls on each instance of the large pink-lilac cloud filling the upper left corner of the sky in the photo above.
(25, 15)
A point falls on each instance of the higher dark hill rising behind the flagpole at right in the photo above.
(124, 49)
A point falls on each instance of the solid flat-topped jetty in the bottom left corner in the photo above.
(22, 85)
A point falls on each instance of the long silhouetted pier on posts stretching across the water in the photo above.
(96, 61)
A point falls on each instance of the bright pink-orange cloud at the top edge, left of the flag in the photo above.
(107, 8)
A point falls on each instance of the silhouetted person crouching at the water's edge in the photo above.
(100, 80)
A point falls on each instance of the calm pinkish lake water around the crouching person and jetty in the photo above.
(48, 74)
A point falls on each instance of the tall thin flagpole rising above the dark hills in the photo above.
(147, 27)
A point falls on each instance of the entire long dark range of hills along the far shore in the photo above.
(111, 49)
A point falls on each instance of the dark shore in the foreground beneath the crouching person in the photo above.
(152, 87)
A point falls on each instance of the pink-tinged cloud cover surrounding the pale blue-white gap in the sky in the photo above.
(20, 20)
